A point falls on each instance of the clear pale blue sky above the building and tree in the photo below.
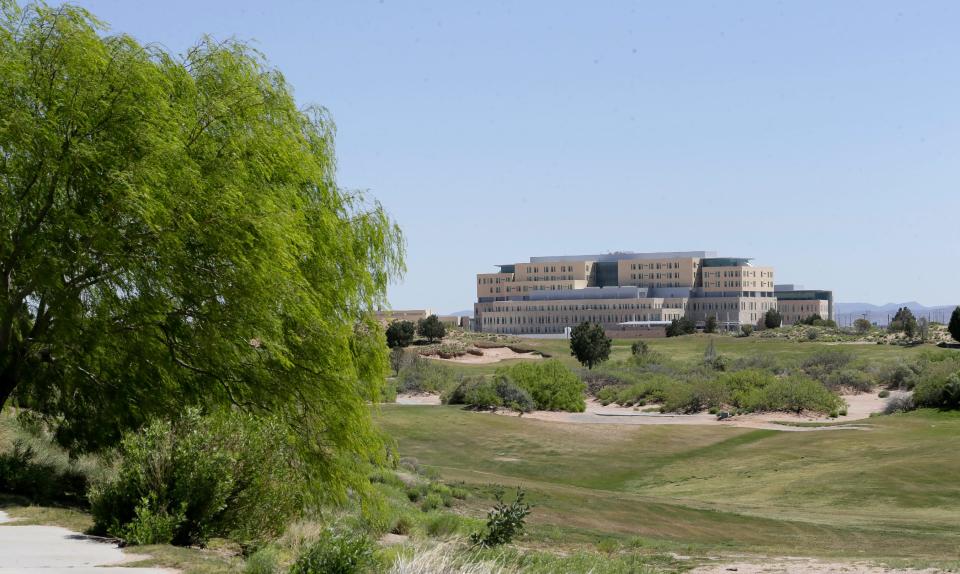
(818, 137)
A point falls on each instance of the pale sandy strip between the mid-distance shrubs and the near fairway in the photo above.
(859, 408)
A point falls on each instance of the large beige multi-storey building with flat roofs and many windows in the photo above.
(631, 292)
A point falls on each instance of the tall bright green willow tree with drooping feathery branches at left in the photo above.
(172, 234)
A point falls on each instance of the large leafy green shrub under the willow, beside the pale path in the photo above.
(227, 475)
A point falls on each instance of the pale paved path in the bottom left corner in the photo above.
(58, 550)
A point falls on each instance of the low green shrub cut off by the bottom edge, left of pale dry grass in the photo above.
(335, 552)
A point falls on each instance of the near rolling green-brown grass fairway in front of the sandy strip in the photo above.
(890, 492)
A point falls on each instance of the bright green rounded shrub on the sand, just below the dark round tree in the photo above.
(553, 386)
